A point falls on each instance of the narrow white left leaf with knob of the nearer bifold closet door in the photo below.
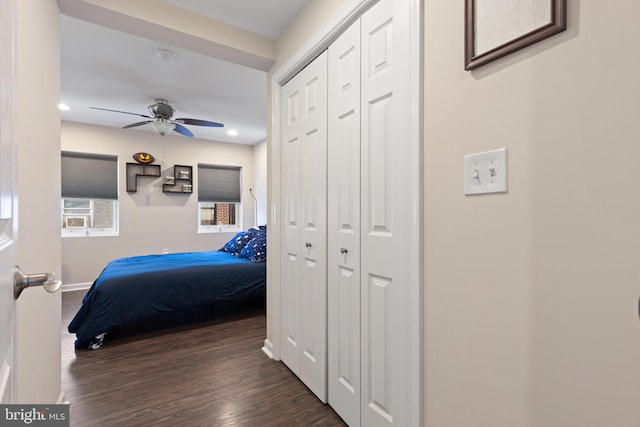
(343, 226)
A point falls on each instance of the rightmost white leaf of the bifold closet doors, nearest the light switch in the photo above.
(383, 313)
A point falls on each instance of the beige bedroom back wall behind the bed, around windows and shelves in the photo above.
(151, 220)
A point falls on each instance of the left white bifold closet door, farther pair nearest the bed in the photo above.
(304, 192)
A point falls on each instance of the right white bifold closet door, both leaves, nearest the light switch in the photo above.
(368, 221)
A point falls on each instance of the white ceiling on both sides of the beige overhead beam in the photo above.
(105, 68)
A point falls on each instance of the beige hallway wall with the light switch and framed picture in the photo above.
(532, 296)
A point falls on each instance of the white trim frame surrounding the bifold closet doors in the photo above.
(321, 40)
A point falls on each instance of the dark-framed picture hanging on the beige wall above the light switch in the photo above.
(495, 28)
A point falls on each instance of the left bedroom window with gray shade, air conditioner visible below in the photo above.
(89, 195)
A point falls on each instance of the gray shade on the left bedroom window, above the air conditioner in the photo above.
(89, 176)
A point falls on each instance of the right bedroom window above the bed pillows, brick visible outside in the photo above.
(218, 198)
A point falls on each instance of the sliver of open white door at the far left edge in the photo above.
(7, 232)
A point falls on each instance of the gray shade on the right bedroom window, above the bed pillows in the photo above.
(218, 184)
